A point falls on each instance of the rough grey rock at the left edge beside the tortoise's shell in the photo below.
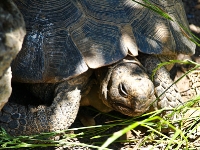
(12, 32)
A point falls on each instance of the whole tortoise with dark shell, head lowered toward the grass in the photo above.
(67, 41)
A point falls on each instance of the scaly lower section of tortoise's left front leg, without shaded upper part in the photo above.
(17, 119)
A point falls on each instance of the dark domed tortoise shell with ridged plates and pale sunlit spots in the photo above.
(66, 37)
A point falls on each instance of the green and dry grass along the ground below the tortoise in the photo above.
(153, 123)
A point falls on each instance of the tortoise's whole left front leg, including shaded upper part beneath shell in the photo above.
(18, 119)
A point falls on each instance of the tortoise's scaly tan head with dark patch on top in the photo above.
(127, 88)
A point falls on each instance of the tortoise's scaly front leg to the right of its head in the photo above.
(167, 98)
